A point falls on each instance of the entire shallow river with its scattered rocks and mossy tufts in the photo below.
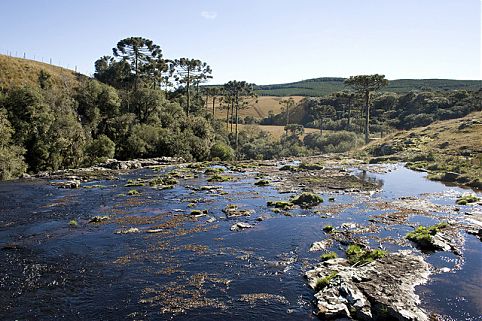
(327, 237)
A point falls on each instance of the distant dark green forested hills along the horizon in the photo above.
(324, 86)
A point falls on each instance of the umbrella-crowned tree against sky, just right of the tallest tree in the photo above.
(189, 72)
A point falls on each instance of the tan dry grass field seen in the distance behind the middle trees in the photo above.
(259, 109)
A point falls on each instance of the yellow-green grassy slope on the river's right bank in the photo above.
(453, 146)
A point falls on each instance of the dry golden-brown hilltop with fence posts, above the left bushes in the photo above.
(18, 72)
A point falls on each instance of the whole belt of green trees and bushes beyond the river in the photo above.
(140, 104)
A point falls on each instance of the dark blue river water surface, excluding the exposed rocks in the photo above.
(197, 268)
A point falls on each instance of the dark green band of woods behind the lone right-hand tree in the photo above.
(345, 110)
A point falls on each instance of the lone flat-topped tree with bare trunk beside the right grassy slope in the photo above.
(365, 84)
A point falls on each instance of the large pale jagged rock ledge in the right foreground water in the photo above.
(381, 290)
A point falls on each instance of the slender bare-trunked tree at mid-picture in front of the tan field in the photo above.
(240, 92)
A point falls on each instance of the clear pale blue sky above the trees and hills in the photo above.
(259, 41)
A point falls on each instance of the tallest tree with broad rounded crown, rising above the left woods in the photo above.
(143, 56)
